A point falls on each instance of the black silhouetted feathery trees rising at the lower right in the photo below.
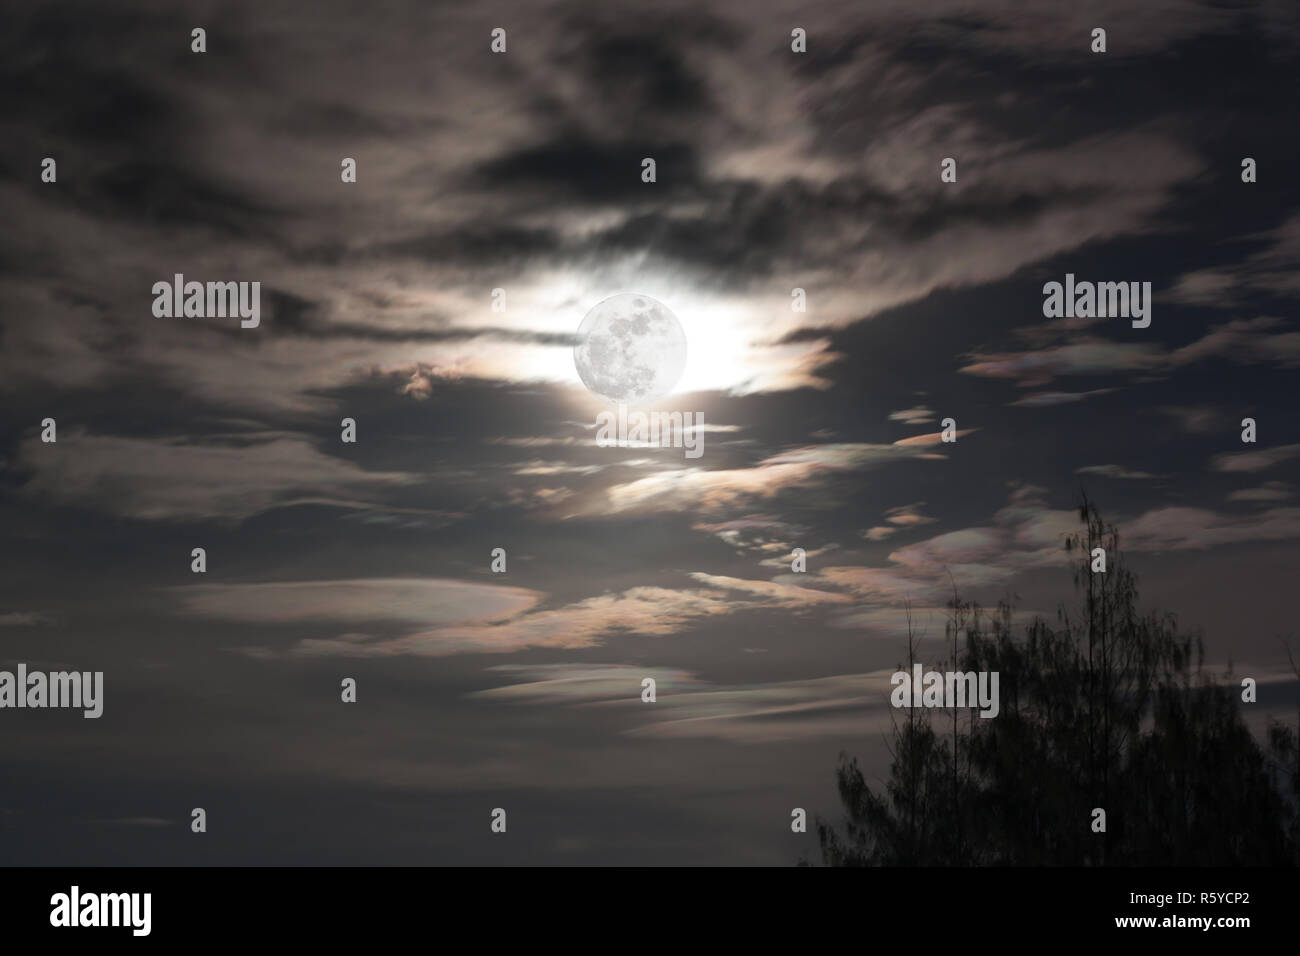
(1107, 708)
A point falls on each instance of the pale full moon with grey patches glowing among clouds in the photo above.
(631, 349)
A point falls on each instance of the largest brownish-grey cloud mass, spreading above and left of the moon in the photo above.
(772, 172)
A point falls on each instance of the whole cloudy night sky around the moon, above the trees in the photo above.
(523, 172)
